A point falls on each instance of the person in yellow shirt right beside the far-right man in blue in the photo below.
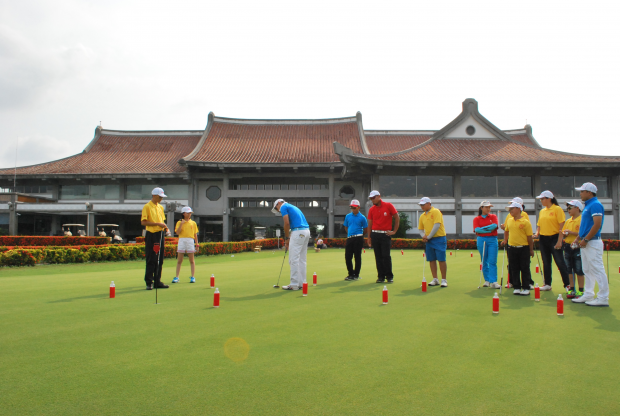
(572, 252)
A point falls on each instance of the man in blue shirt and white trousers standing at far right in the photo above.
(592, 219)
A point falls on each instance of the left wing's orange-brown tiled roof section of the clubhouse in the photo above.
(122, 152)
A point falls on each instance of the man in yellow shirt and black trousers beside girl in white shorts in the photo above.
(154, 219)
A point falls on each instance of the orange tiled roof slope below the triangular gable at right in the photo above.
(492, 151)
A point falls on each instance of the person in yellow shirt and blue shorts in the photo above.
(433, 233)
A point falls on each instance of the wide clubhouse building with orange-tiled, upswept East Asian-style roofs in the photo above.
(231, 172)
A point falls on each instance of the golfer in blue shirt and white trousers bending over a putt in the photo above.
(297, 234)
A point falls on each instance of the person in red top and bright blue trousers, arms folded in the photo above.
(485, 227)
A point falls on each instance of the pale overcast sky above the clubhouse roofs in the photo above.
(66, 65)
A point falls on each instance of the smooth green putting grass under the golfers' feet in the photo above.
(67, 349)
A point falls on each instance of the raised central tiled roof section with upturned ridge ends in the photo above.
(272, 141)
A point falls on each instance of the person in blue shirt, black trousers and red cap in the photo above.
(356, 226)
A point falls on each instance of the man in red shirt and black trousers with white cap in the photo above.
(380, 217)
